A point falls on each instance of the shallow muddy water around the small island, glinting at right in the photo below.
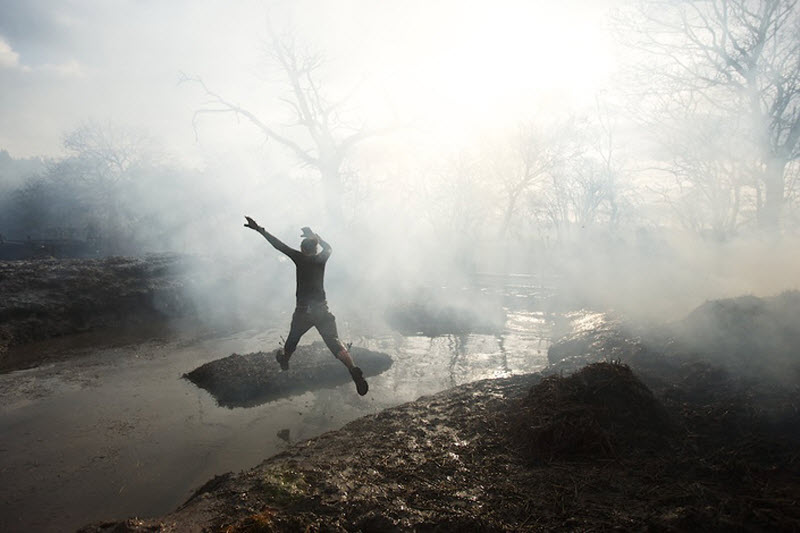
(115, 432)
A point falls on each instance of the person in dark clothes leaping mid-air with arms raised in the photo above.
(312, 308)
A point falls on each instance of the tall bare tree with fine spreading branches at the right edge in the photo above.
(739, 57)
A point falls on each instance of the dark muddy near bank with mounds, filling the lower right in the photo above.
(623, 431)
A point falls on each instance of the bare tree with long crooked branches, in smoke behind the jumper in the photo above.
(328, 138)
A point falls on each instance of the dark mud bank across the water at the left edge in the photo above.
(45, 298)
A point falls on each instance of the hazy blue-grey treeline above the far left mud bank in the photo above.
(110, 195)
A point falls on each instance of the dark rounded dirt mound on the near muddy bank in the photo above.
(602, 410)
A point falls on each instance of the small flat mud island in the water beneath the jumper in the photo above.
(255, 378)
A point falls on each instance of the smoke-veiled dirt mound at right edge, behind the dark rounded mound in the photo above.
(727, 374)
